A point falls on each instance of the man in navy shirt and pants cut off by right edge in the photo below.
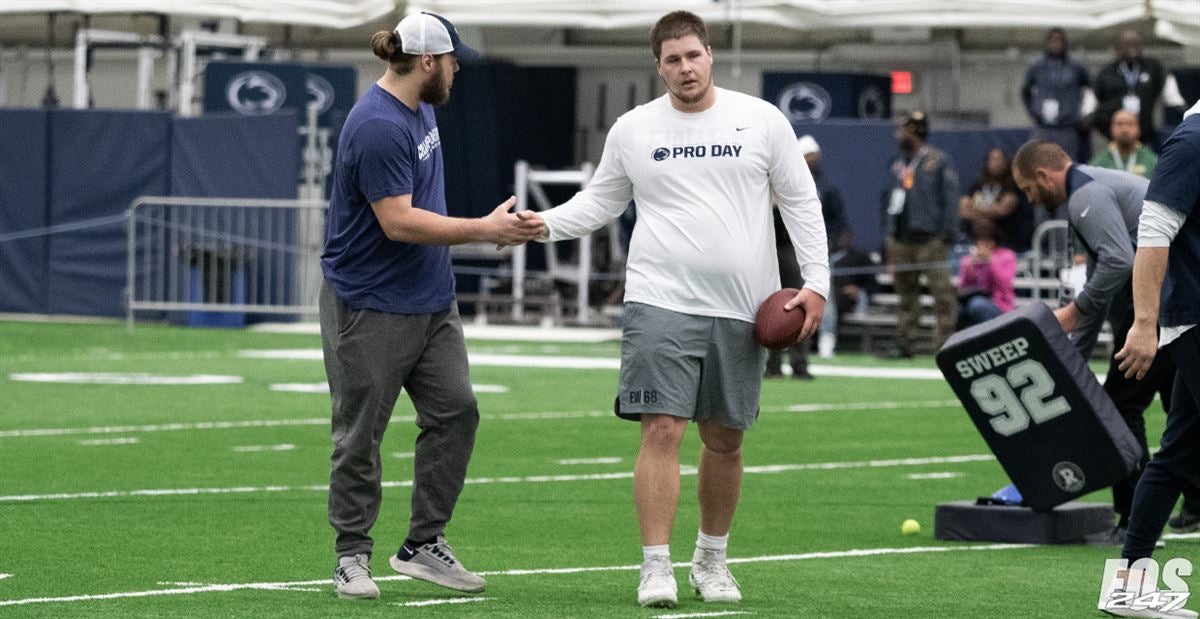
(1167, 291)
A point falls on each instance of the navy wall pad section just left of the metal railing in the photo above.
(100, 163)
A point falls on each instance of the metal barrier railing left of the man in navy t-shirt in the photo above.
(223, 255)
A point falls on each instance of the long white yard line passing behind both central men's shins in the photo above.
(530, 479)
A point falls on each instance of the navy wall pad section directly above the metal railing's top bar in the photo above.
(236, 157)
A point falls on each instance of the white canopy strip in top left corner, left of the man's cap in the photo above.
(329, 14)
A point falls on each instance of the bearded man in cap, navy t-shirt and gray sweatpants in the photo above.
(388, 312)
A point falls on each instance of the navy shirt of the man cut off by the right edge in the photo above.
(1177, 185)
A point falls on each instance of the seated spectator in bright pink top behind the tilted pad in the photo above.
(986, 277)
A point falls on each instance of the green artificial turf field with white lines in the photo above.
(177, 500)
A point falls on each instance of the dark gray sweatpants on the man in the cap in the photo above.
(369, 358)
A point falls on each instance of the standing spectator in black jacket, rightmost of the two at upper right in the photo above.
(1135, 83)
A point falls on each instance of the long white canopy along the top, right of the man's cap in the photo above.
(1175, 20)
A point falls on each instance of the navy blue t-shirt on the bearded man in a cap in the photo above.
(386, 149)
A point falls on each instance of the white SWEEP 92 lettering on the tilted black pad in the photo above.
(1018, 399)
